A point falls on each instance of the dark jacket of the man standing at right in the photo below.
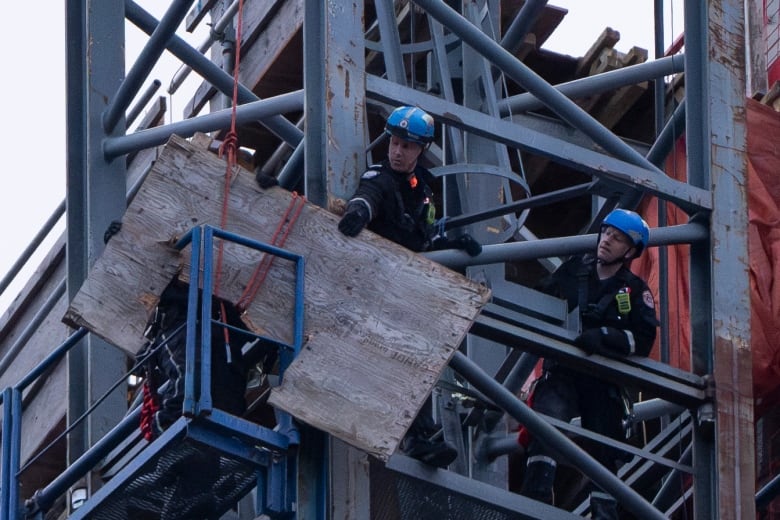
(602, 308)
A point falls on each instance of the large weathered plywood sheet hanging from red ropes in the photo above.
(380, 325)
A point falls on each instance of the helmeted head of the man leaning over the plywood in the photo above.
(411, 131)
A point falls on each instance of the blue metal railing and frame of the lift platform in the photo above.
(246, 455)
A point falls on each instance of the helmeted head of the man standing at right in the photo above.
(623, 237)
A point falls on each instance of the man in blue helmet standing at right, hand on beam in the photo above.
(617, 316)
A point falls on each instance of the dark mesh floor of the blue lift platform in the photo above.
(187, 480)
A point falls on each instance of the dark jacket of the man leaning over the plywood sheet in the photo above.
(399, 212)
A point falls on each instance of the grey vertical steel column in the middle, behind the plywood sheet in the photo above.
(335, 144)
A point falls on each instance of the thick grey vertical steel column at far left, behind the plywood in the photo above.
(95, 197)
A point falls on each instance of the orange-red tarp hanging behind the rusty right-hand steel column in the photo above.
(763, 149)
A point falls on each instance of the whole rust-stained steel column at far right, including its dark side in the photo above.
(720, 293)
